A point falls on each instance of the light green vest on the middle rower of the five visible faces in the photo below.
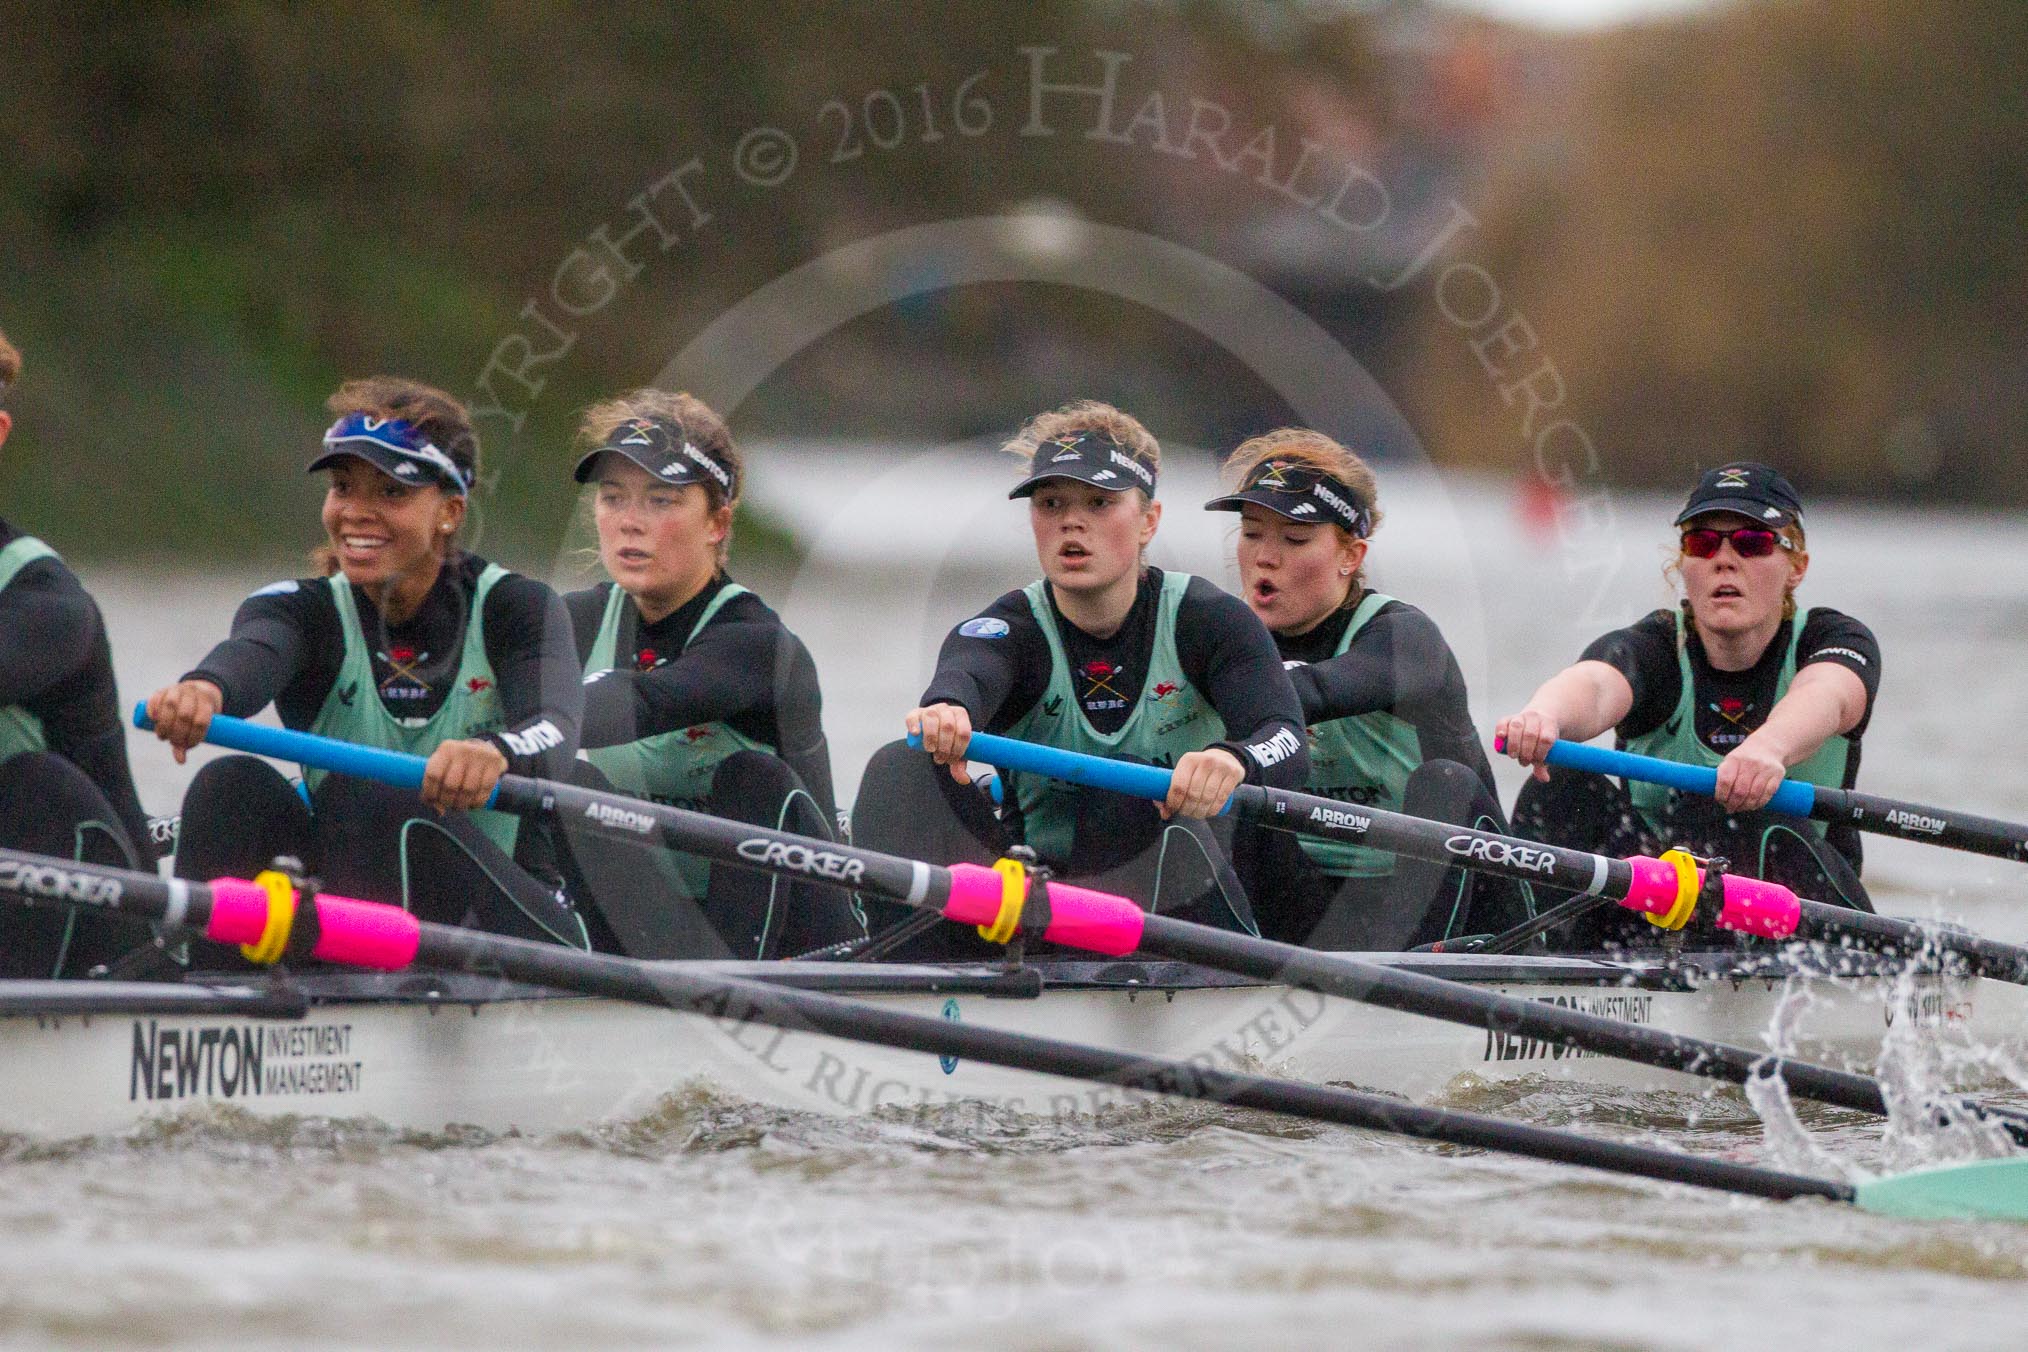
(1169, 721)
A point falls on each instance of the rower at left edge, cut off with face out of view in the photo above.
(66, 787)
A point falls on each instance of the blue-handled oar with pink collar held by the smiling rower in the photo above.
(1005, 901)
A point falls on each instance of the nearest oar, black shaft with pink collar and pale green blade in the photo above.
(275, 919)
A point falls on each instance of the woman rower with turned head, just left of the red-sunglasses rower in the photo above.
(1382, 698)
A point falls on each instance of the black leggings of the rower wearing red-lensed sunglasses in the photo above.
(1589, 812)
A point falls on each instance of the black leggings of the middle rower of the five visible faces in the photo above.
(910, 806)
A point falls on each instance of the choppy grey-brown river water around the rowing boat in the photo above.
(717, 1221)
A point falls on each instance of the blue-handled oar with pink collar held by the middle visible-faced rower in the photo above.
(1664, 889)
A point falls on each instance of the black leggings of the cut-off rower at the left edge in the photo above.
(50, 808)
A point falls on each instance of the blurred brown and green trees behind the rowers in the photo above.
(1784, 230)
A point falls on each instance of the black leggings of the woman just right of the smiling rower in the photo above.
(648, 901)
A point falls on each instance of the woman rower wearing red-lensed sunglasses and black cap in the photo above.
(1735, 678)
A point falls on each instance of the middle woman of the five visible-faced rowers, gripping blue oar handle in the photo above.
(1110, 658)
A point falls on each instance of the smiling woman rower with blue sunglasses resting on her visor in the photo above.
(407, 644)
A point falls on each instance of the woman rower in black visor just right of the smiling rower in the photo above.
(697, 694)
